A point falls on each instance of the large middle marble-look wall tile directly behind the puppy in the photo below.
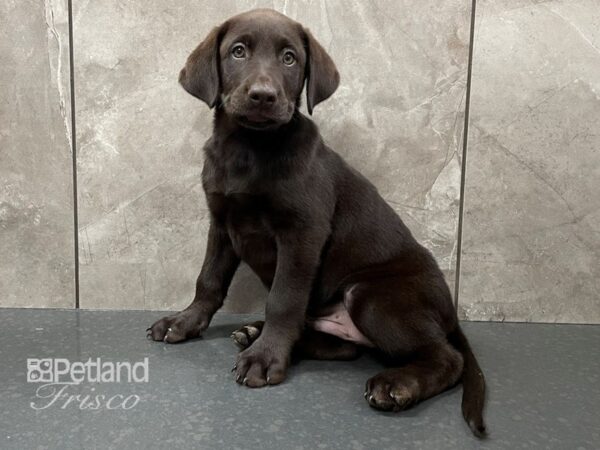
(397, 117)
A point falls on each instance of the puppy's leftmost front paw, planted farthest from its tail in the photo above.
(178, 327)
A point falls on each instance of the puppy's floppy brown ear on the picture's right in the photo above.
(322, 77)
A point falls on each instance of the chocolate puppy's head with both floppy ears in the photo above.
(255, 65)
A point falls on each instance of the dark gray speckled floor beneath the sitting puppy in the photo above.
(543, 391)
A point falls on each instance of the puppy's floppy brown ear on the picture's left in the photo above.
(200, 75)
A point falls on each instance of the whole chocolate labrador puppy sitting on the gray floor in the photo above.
(344, 273)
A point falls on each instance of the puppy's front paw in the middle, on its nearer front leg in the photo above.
(260, 365)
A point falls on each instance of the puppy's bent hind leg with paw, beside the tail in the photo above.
(404, 321)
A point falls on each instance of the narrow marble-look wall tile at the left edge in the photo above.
(36, 189)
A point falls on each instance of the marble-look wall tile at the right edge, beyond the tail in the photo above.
(531, 233)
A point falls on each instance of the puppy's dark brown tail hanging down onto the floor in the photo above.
(473, 384)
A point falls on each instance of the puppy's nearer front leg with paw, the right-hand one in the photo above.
(267, 359)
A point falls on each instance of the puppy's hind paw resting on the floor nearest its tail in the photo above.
(389, 392)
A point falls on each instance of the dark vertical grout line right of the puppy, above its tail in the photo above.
(463, 171)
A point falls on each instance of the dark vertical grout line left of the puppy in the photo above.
(74, 153)
